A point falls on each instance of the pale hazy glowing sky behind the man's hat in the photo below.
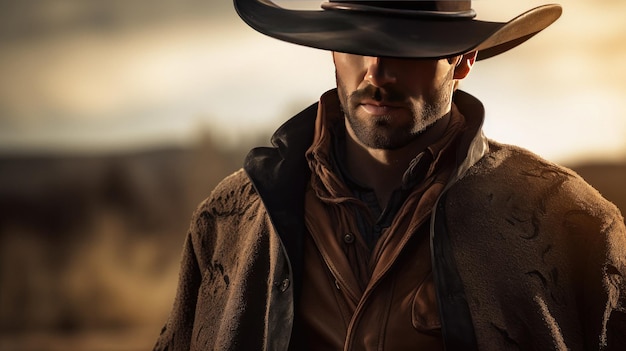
(174, 79)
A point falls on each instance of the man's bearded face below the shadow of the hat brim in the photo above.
(388, 102)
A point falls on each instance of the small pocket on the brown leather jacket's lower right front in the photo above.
(425, 312)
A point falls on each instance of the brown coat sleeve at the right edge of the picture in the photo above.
(597, 237)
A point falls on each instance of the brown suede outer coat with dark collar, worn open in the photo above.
(531, 255)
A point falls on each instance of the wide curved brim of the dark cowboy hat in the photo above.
(384, 35)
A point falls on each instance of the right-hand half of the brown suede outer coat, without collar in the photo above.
(544, 266)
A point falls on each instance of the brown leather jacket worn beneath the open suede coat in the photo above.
(339, 296)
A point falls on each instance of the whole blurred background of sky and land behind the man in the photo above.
(118, 117)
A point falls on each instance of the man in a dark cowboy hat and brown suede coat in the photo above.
(383, 219)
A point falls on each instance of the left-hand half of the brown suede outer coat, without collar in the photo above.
(234, 290)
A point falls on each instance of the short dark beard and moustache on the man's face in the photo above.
(378, 132)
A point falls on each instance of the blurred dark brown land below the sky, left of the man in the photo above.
(93, 242)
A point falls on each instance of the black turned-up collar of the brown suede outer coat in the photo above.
(280, 173)
